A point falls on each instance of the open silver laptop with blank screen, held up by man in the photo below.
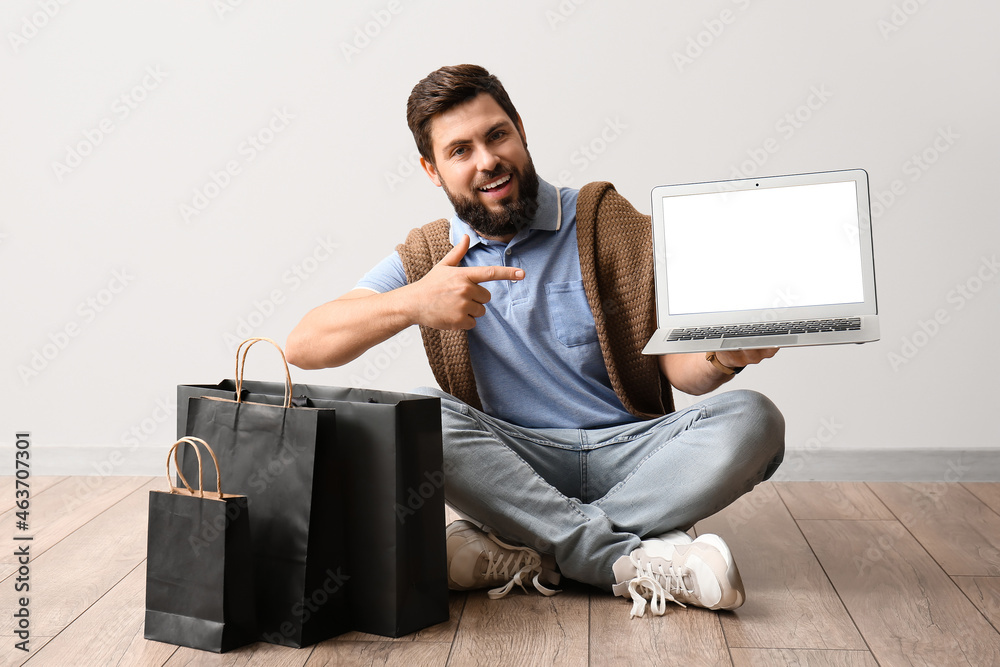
(777, 261)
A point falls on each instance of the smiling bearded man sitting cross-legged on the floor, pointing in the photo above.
(561, 442)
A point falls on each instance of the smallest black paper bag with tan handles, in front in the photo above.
(199, 574)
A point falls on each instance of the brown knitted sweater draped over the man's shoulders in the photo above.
(616, 260)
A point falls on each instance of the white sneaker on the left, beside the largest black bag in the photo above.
(477, 559)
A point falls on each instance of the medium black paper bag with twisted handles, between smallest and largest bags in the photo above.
(285, 459)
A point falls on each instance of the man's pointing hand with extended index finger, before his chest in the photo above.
(450, 296)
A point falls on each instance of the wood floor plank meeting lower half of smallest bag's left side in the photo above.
(109, 632)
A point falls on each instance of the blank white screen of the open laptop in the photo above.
(767, 248)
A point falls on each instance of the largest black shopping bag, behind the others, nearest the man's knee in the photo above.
(390, 445)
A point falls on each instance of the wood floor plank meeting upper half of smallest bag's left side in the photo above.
(72, 575)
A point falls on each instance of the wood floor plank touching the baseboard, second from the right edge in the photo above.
(953, 525)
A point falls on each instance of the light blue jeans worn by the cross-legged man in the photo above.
(589, 496)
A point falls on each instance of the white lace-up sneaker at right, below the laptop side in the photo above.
(674, 568)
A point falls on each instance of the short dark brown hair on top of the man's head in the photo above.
(445, 88)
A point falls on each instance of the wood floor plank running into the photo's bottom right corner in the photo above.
(907, 608)
